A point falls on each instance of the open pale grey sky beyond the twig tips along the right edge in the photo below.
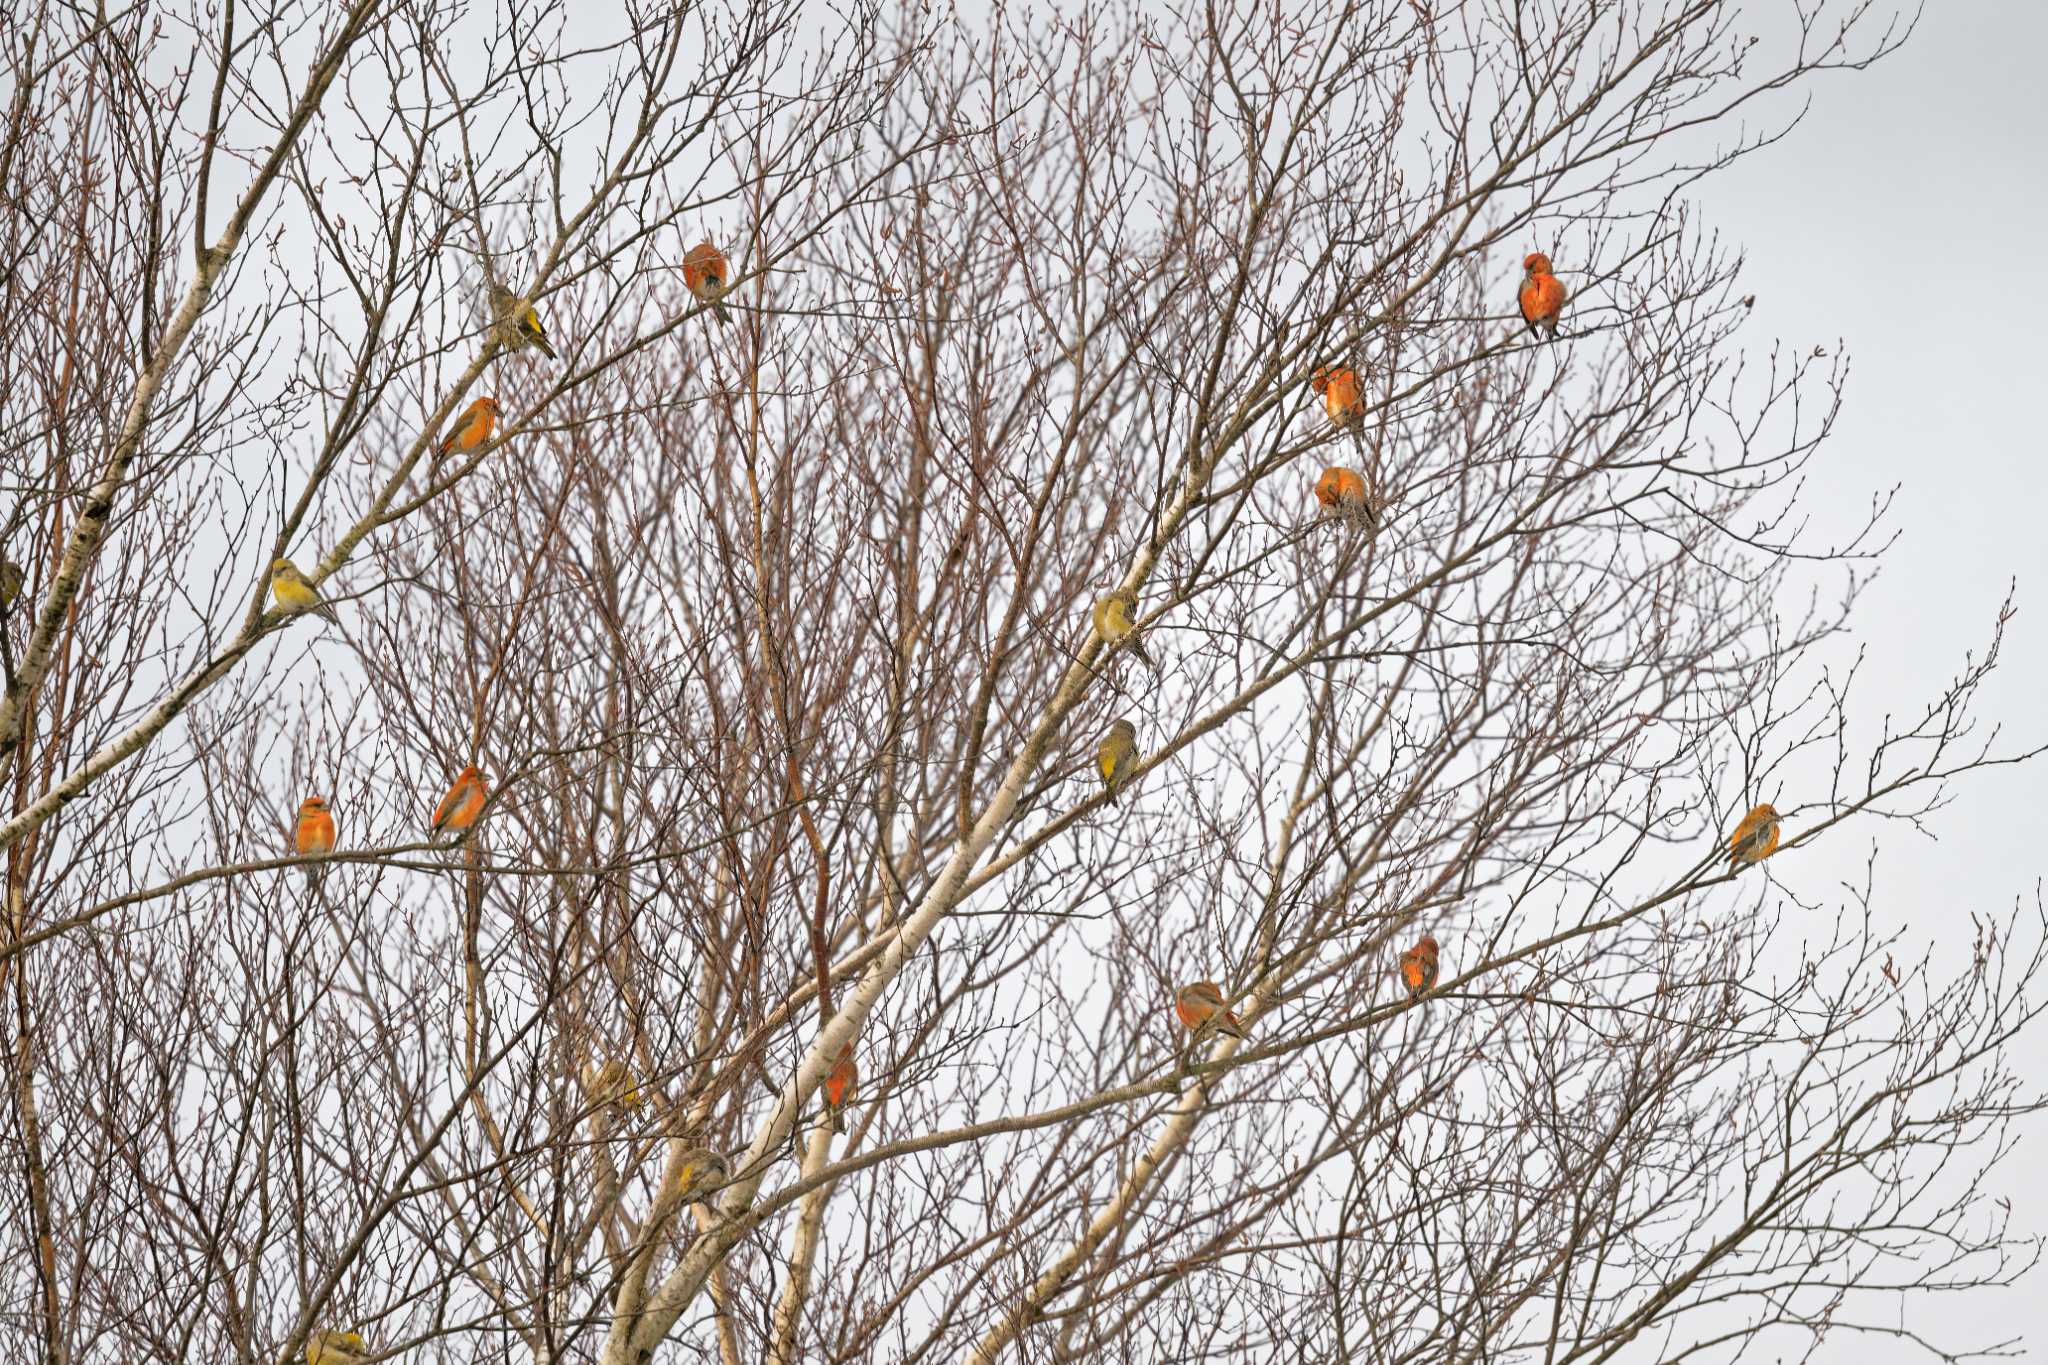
(1908, 222)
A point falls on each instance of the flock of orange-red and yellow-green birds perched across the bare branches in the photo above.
(1203, 1008)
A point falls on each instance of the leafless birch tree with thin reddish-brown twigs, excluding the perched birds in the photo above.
(804, 992)
